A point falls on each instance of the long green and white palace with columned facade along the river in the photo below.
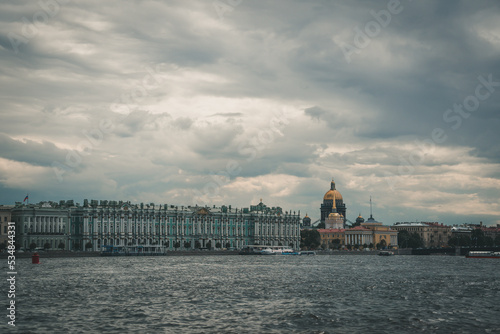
(96, 224)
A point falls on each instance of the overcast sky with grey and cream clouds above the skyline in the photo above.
(228, 102)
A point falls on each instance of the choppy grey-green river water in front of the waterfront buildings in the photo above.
(252, 294)
